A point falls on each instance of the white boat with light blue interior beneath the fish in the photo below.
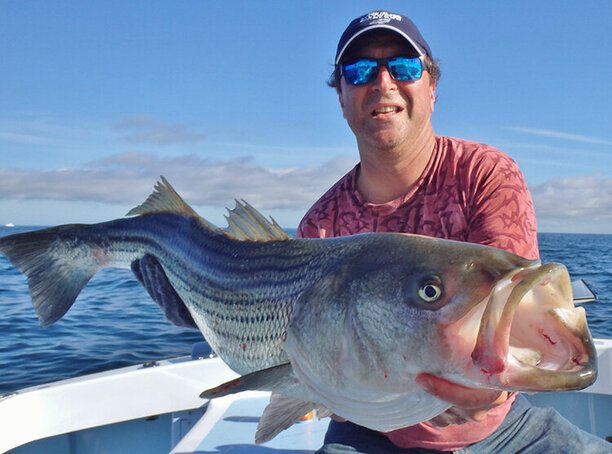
(155, 407)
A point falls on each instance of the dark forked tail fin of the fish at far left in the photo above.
(57, 264)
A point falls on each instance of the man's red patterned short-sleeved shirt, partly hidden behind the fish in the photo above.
(468, 192)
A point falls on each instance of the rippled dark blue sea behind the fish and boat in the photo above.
(113, 323)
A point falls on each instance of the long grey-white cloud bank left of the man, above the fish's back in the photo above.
(129, 177)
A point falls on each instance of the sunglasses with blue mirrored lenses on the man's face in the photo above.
(365, 70)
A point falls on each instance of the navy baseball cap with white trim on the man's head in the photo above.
(383, 20)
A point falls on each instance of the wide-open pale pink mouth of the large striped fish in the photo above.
(532, 337)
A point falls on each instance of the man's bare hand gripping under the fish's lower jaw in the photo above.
(468, 404)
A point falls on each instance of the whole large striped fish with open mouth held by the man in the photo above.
(346, 324)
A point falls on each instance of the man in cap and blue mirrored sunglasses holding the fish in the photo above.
(410, 180)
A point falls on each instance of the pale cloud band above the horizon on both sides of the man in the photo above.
(579, 204)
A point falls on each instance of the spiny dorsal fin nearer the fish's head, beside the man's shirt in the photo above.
(246, 223)
